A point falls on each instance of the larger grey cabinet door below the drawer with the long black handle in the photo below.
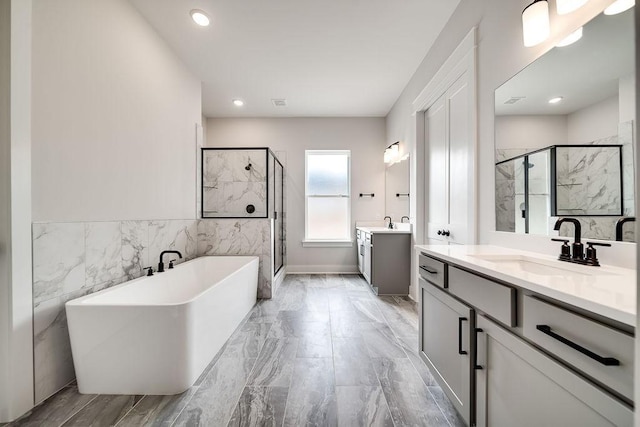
(517, 385)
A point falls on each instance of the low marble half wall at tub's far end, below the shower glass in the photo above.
(226, 236)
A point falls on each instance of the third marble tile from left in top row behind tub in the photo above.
(135, 247)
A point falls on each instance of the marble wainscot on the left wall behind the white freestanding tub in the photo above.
(75, 259)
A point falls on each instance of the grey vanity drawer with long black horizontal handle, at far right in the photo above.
(573, 335)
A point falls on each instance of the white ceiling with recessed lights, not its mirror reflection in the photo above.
(330, 58)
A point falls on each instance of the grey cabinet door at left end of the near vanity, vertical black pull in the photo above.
(445, 344)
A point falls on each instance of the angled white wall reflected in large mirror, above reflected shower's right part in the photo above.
(594, 122)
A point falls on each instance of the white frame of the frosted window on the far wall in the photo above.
(307, 242)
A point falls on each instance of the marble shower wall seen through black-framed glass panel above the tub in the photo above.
(229, 187)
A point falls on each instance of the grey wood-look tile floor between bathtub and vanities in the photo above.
(324, 352)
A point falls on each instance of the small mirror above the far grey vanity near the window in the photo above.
(396, 179)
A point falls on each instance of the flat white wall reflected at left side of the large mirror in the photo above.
(530, 131)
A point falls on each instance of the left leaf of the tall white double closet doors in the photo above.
(437, 164)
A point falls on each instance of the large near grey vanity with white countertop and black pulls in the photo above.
(516, 351)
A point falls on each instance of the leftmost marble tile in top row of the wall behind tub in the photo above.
(58, 259)
